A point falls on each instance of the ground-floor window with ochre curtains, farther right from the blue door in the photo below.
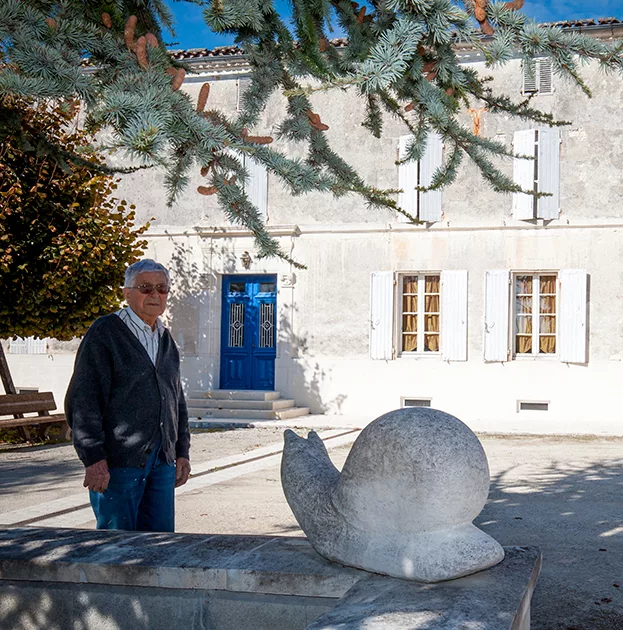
(536, 301)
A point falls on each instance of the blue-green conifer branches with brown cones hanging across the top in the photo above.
(400, 58)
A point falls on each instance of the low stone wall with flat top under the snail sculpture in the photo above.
(95, 580)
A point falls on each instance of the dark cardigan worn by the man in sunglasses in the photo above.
(119, 404)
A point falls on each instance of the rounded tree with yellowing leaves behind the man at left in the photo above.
(65, 241)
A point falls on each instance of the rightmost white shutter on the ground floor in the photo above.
(572, 319)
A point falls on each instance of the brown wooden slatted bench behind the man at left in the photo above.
(42, 403)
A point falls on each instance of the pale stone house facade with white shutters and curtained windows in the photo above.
(506, 313)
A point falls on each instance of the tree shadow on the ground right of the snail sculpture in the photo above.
(574, 515)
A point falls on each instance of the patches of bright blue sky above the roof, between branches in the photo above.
(192, 32)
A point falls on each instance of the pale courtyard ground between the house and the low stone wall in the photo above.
(563, 495)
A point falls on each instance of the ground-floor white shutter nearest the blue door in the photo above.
(381, 315)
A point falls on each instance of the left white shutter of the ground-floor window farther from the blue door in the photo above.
(496, 315)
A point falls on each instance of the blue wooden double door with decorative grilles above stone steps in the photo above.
(248, 332)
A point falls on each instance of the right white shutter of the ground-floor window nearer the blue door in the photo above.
(454, 315)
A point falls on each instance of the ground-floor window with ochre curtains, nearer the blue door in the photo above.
(420, 313)
